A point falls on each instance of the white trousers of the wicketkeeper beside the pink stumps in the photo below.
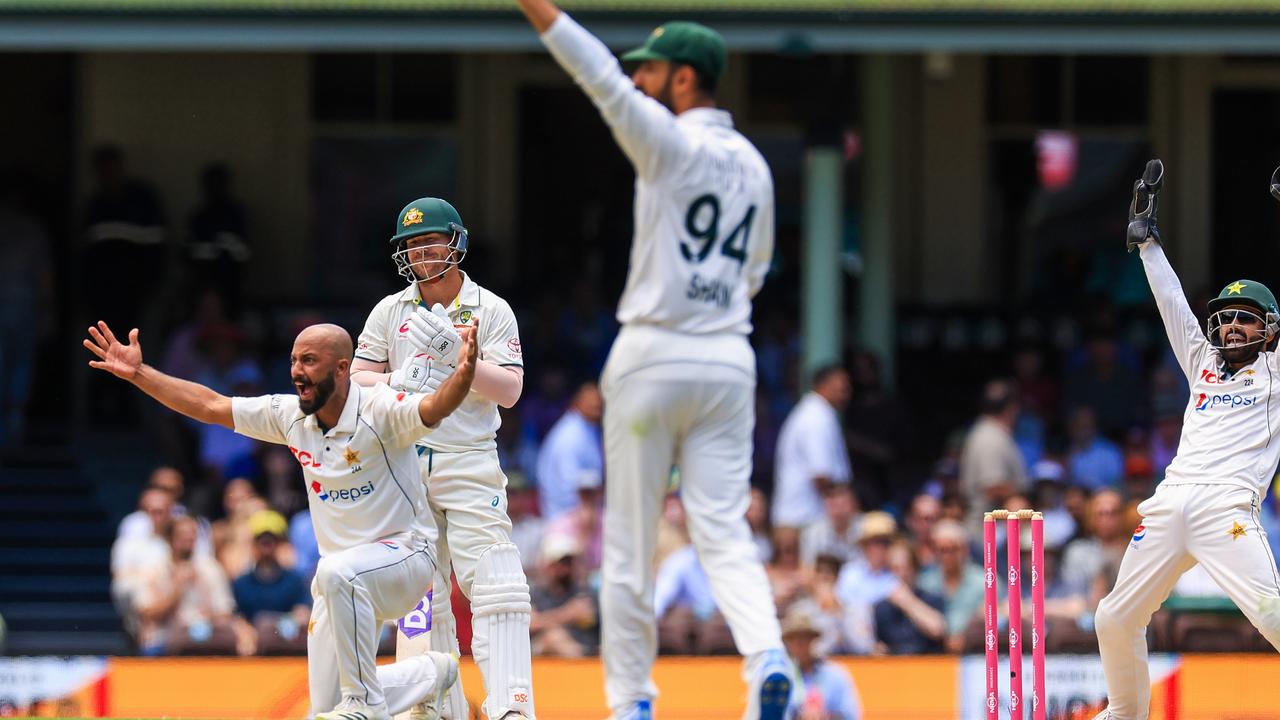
(1215, 526)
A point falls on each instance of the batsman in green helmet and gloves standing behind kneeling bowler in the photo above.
(413, 334)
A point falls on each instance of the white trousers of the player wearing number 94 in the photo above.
(705, 427)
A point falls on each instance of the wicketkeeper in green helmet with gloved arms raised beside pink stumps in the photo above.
(1206, 509)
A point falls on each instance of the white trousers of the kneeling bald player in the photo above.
(354, 593)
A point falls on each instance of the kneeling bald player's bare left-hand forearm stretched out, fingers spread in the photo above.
(125, 362)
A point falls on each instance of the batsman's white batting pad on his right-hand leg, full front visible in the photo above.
(500, 627)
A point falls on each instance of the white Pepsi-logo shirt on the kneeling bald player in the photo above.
(362, 475)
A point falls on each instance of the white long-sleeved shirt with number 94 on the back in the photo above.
(705, 199)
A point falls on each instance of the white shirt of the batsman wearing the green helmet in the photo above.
(474, 425)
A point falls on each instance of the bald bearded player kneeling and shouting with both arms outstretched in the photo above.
(372, 525)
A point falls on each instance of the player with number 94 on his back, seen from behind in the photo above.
(680, 381)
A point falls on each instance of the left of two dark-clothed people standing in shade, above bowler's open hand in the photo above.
(125, 235)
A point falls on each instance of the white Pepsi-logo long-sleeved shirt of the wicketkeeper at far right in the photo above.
(1231, 425)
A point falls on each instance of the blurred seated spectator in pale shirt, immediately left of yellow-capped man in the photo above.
(185, 604)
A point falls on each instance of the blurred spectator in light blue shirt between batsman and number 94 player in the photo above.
(573, 454)
